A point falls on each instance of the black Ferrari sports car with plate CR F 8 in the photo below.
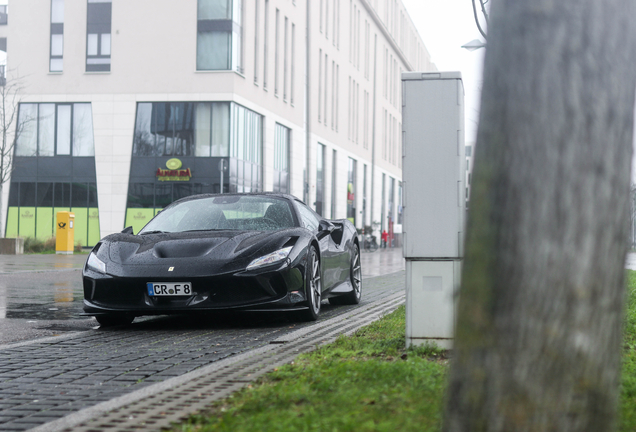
(253, 252)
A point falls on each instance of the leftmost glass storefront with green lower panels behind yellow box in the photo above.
(54, 170)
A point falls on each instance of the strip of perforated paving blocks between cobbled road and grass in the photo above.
(157, 406)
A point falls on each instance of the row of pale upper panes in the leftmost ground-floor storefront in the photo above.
(50, 129)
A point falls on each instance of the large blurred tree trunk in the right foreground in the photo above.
(538, 340)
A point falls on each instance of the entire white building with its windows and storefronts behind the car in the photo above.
(127, 106)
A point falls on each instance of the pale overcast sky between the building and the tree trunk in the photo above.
(446, 25)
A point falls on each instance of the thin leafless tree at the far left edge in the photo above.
(10, 130)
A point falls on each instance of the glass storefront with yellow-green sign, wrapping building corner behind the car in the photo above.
(186, 148)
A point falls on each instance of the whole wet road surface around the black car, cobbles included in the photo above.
(79, 364)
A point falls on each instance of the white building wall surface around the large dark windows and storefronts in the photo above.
(356, 50)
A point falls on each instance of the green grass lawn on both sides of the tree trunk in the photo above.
(369, 382)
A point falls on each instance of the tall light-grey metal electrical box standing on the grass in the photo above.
(433, 172)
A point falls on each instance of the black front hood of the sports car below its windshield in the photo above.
(192, 253)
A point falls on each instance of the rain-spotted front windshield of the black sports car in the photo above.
(226, 212)
